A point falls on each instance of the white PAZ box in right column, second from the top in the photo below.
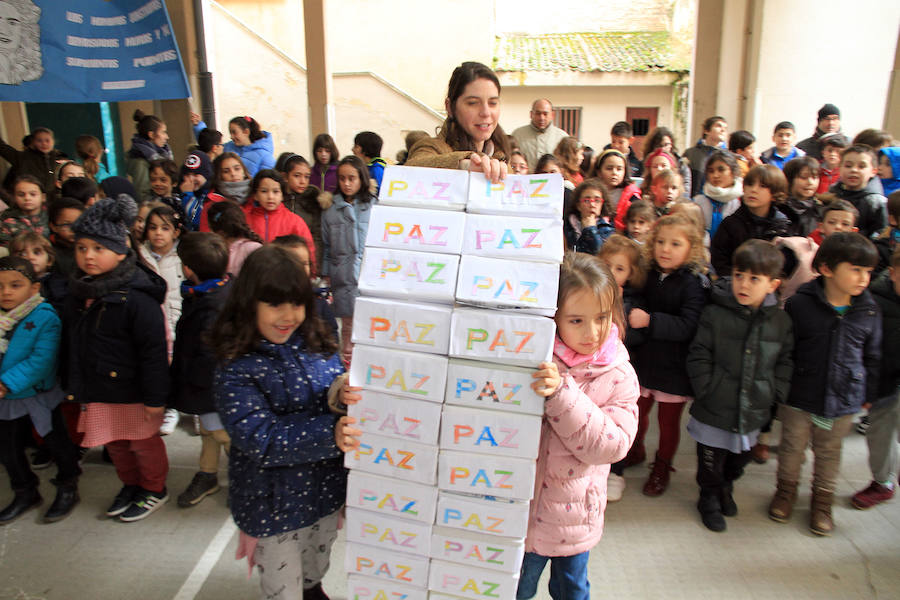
(517, 238)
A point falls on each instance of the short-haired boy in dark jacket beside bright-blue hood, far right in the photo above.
(857, 187)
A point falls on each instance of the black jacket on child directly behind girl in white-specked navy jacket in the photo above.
(193, 361)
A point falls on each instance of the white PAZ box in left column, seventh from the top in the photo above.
(409, 461)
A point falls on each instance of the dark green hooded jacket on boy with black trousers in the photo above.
(739, 362)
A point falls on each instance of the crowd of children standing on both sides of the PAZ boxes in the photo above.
(222, 286)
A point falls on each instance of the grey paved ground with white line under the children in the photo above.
(652, 548)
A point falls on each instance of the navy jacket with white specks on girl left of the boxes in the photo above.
(285, 467)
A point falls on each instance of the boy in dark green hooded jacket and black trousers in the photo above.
(744, 344)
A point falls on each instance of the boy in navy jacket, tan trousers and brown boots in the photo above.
(837, 351)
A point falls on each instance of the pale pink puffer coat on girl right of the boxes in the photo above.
(589, 423)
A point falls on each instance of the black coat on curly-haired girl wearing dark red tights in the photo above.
(674, 304)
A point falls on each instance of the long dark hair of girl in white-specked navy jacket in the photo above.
(273, 275)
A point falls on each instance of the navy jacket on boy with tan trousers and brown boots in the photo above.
(836, 357)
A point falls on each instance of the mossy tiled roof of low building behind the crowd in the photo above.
(586, 52)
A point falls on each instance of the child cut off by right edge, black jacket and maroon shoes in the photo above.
(884, 415)
